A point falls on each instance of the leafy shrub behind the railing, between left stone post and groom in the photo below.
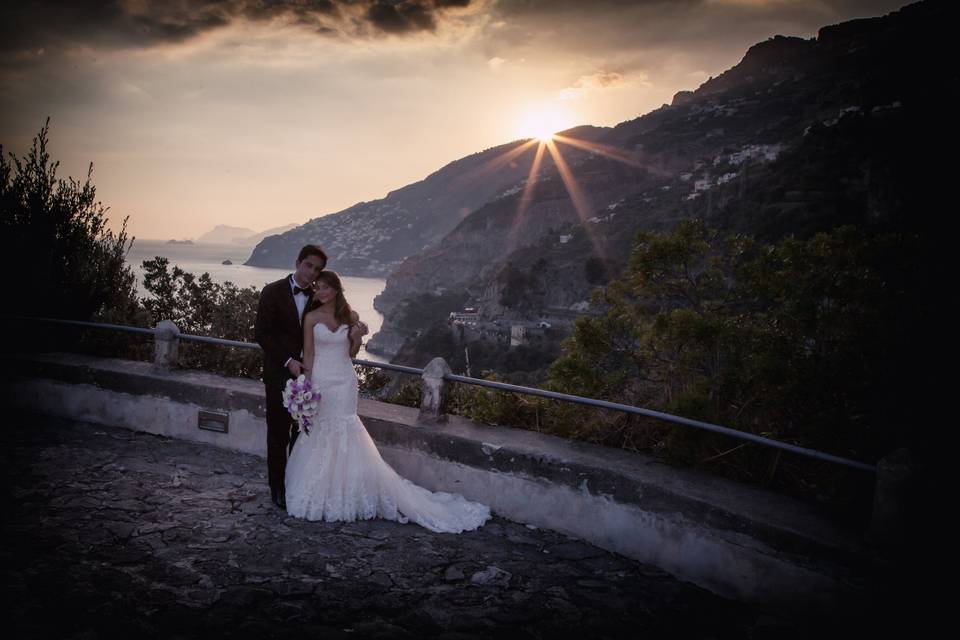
(200, 306)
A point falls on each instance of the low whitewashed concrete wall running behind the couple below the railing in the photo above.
(735, 540)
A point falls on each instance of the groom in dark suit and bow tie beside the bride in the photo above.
(278, 331)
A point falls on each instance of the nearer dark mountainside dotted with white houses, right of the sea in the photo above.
(800, 136)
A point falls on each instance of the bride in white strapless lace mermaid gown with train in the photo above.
(335, 472)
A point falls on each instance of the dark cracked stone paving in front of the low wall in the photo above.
(108, 532)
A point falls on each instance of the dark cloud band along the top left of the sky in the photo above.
(55, 24)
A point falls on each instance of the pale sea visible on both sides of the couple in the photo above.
(208, 258)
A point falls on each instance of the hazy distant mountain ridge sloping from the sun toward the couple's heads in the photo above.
(373, 238)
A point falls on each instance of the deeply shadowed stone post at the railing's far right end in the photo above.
(890, 501)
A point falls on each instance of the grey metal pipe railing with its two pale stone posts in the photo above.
(167, 332)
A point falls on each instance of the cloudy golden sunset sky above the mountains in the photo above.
(259, 113)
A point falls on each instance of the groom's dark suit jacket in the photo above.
(278, 331)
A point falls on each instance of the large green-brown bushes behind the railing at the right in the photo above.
(802, 341)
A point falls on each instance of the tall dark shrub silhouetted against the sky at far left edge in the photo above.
(55, 235)
